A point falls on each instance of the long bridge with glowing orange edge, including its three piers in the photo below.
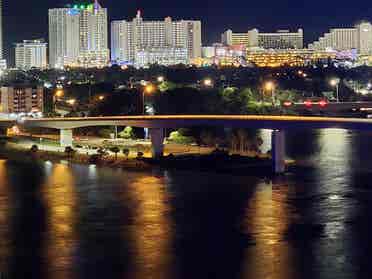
(157, 124)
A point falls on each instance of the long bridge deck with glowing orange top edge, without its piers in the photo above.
(182, 121)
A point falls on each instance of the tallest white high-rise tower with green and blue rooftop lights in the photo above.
(78, 36)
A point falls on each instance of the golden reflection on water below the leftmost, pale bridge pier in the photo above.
(60, 202)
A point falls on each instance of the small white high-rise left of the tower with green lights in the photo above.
(31, 54)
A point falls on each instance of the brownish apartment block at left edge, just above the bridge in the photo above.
(22, 99)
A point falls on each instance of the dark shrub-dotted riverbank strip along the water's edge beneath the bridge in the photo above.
(217, 161)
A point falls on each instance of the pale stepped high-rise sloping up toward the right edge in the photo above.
(341, 39)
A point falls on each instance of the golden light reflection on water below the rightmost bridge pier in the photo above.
(267, 221)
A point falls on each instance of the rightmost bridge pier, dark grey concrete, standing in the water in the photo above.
(278, 151)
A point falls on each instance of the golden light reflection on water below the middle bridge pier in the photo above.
(151, 230)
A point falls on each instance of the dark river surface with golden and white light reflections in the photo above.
(60, 221)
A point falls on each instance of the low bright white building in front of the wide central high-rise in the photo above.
(162, 56)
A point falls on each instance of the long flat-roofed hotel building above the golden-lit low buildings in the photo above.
(281, 39)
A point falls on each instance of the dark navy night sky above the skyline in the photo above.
(28, 19)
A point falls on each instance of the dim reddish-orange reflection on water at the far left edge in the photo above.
(4, 217)
